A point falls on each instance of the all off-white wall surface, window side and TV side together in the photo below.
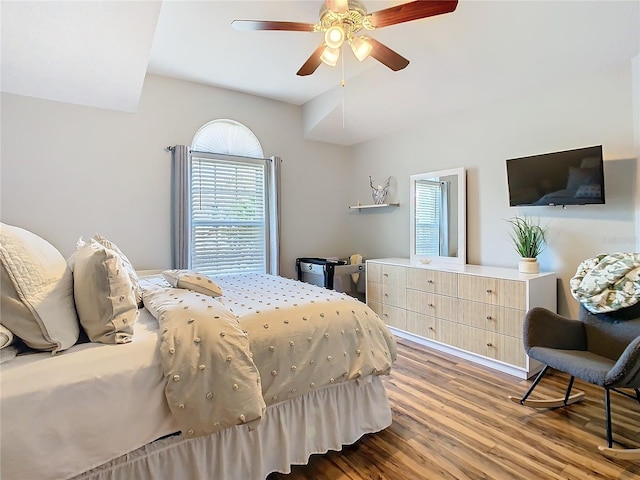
(68, 171)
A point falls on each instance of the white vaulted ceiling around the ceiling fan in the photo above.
(96, 53)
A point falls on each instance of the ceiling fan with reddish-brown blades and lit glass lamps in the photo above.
(341, 20)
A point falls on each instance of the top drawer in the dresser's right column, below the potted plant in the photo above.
(494, 291)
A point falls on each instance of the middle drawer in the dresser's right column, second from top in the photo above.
(492, 318)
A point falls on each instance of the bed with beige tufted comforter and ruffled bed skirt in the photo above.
(96, 410)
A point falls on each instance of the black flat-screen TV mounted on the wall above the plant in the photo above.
(571, 177)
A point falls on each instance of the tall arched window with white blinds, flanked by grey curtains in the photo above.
(232, 202)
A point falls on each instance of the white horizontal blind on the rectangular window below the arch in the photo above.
(229, 216)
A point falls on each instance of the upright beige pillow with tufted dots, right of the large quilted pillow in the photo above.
(104, 299)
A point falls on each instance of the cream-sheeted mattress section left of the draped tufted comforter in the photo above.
(81, 404)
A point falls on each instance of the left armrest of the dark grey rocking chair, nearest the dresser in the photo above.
(544, 328)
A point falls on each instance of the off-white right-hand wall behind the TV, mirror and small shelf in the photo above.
(592, 110)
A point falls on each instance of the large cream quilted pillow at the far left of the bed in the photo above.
(36, 291)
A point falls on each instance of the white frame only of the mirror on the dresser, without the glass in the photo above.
(461, 258)
